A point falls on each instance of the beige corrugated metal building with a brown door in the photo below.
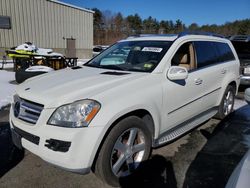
(65, 28)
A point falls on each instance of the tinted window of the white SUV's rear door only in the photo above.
(205, 53)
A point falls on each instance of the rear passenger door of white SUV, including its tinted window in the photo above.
(211, 72)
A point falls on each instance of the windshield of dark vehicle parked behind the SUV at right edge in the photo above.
(242, 49)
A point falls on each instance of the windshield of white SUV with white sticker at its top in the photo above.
(140, 56)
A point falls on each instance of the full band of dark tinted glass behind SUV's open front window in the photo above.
(209, 53)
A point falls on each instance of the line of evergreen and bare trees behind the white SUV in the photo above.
(110, 27)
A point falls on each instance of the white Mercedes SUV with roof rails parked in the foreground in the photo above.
(138, 94)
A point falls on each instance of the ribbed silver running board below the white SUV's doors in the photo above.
(183, 128)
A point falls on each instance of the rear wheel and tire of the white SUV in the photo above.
(227, 102)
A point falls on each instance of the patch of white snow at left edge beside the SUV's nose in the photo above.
(6, 88)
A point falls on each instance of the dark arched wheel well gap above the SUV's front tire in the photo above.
(141, 113)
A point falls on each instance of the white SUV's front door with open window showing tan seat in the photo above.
(181, 99)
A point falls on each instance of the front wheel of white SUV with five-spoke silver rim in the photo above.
(118, 151)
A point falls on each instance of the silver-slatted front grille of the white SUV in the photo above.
(27, 111)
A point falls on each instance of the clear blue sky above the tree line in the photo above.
(189, 11)
